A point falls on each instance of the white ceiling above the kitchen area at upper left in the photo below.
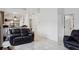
(19, 12)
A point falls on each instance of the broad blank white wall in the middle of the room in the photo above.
(48, 23)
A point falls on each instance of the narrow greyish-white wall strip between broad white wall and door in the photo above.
(60, 25)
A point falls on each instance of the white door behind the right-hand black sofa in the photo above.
(68, 24)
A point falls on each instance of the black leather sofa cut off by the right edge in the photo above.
(72, 42)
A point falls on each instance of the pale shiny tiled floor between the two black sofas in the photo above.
(41, 43)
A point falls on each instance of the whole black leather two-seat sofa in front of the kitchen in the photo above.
(20, 36)
